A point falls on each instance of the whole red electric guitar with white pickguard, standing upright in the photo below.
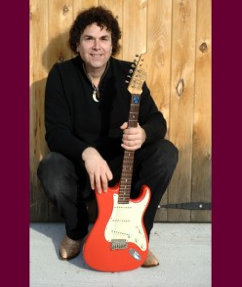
(118, 239)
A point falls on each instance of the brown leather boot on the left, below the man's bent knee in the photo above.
(69, 248)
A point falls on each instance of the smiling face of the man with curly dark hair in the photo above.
(95, 47)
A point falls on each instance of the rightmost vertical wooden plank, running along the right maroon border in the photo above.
(201, 157)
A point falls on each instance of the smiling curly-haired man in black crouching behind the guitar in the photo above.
(86, 111)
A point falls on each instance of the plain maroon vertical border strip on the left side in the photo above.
(14, 143)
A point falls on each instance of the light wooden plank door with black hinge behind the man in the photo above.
(177, 36)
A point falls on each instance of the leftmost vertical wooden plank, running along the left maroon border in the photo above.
(38, 73)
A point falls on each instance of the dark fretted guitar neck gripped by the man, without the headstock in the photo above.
(128, 160)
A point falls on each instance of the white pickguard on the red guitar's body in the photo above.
(126, 222)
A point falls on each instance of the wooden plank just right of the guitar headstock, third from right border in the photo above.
(158, 76)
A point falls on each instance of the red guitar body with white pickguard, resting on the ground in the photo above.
(118, 240)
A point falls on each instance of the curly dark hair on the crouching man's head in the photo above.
(101, 16)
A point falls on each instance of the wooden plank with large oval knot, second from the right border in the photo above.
(182, 98)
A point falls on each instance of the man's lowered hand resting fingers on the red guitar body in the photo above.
(97, 168)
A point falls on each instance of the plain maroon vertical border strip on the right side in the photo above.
(226, 143)
